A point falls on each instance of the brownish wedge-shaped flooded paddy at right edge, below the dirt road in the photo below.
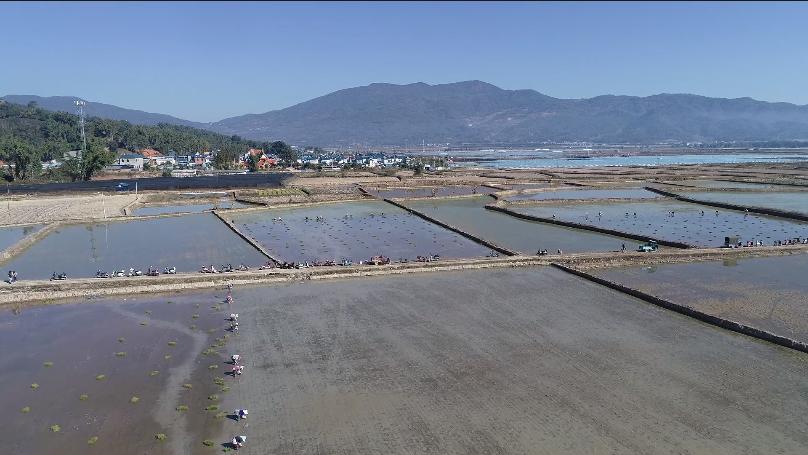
(767, 293)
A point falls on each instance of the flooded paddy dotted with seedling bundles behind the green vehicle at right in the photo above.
(687, 224)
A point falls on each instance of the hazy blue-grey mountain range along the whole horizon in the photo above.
(481, 113)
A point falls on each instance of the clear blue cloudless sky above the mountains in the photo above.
(207, 61)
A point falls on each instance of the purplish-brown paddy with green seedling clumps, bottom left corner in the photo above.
(125, 342)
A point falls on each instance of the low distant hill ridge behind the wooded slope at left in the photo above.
(93, 109)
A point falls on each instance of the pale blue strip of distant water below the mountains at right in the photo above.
(651, 160)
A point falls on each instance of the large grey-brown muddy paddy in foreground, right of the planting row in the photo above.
(505, 361)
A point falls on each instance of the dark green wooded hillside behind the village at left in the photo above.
(30, 135)
